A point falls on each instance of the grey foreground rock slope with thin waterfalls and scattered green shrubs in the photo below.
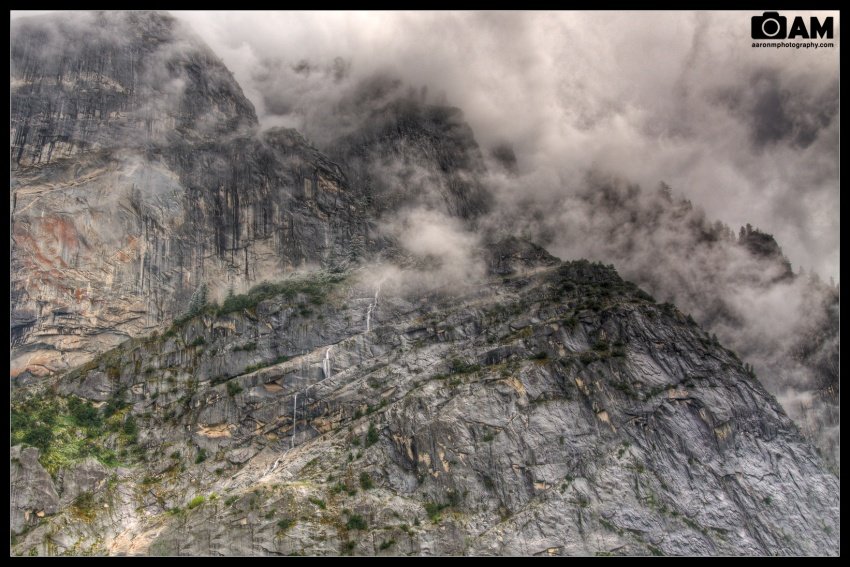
(603, 423)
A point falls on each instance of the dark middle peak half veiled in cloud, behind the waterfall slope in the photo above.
(409, 153)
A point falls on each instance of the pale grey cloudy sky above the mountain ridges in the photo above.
(749, 134)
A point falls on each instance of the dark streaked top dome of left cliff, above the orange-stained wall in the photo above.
(92, 81)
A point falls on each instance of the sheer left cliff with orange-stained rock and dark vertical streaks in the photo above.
(137, 177)
